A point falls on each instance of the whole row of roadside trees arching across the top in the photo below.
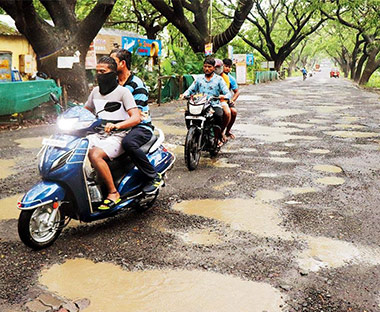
(286, 32)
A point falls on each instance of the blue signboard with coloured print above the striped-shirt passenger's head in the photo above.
(141, 46)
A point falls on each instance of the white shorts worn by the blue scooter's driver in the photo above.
(110, 144)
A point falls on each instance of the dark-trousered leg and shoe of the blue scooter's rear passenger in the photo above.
(131, 144)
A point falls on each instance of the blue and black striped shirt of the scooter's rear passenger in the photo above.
(140, 94)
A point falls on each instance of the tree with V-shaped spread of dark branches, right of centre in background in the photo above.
(279, 26)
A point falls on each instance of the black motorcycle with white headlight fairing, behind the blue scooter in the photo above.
(201, 127)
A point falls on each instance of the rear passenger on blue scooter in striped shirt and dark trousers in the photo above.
(143, 132)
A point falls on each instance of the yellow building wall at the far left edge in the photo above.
(17, 45)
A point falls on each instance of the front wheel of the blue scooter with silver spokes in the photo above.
(39, 228)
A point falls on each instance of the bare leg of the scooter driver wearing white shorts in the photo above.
(97, 158)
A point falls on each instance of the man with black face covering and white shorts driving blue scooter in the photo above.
(104, 146)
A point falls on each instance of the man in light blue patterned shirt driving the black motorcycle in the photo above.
(214, 86)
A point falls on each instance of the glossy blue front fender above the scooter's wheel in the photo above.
(41, 194)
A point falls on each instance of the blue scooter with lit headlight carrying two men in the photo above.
(70, 187)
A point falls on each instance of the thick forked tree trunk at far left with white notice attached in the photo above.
(66, 34)
